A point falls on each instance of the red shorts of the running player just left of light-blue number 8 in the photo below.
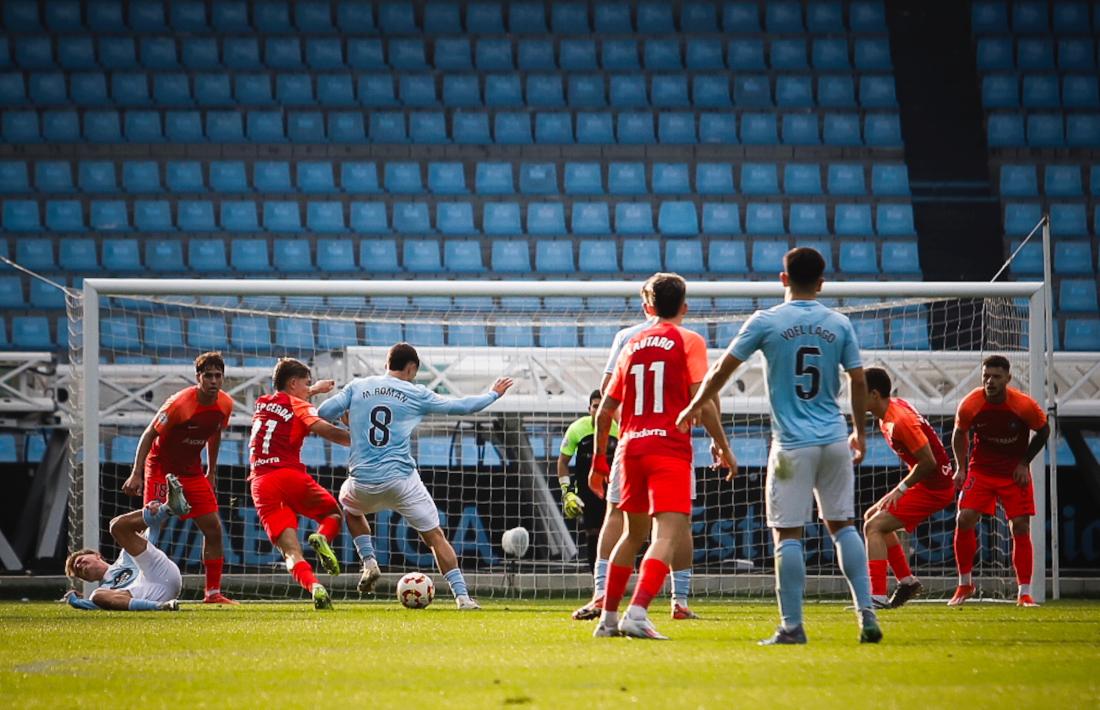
(284, 495)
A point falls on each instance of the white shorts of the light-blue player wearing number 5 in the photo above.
(797, 477)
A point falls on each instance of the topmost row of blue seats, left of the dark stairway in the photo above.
(361, 17)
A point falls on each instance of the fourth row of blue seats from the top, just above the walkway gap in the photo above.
(472, 128)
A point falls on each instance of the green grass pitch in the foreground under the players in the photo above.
(379, 656)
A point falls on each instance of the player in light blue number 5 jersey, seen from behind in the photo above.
(806, 345)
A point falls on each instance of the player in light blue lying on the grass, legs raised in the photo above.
(142, 578)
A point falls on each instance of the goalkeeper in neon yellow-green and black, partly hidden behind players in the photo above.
(578, 500)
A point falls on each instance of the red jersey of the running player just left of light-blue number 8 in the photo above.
(280, 425)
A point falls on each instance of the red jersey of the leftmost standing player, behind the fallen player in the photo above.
(183, 428)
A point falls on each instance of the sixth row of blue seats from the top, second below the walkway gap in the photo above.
(457, 219)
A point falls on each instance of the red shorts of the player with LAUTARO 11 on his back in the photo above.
(656, 485)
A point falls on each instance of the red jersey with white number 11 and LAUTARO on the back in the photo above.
(653, 380)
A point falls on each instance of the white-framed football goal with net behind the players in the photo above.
(496, 471)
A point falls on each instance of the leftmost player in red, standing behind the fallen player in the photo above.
(189, 422)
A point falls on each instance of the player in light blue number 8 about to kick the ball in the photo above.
(382, 475)
